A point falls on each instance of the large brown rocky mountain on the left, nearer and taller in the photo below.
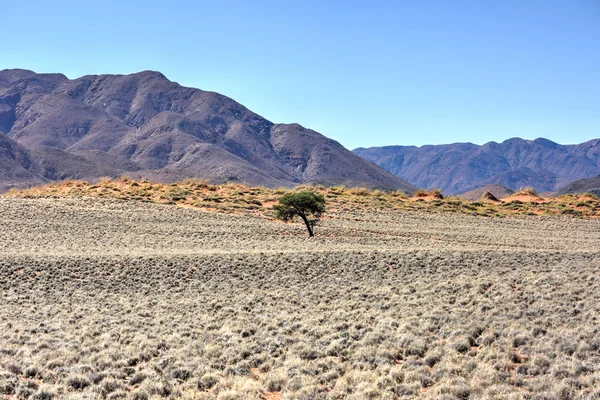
(143, 125)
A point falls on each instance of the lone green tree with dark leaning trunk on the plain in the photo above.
(301, 204)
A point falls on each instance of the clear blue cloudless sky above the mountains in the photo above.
(364, 73)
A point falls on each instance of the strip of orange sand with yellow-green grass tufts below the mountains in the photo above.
(236, 198)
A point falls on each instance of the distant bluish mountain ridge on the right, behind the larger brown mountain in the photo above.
(514, 163)
